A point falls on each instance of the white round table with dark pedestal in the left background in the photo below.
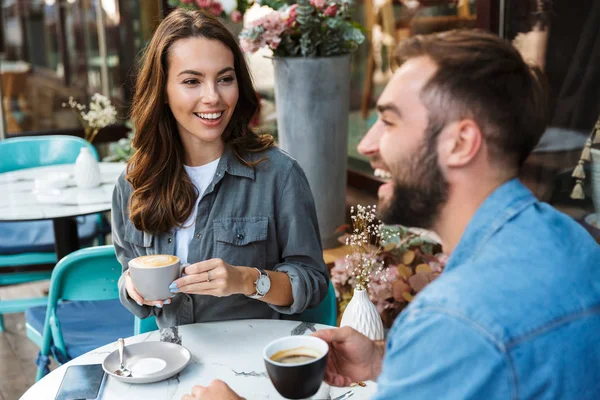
(20, 202)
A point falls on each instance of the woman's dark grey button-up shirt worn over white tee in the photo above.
(261, 217)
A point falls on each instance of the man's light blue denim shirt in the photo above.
(515, 314)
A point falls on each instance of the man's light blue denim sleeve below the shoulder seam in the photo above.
(433, 355)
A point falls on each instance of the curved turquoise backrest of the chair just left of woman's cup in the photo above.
(87, 274)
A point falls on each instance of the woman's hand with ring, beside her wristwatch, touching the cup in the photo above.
(215, 277)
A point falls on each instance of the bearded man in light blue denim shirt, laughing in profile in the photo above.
(516, 313)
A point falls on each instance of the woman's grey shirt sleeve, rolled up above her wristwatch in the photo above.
(300, 243)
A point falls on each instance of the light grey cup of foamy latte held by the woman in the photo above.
(152, 275)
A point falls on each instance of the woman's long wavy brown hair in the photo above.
(163, 195)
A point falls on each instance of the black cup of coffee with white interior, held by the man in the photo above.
(296, 365)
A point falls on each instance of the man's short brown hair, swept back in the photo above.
(483, 77)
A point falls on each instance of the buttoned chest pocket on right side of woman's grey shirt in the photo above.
(241, 241)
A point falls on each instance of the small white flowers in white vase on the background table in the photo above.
(101, 114)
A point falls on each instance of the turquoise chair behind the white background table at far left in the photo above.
(29, 152)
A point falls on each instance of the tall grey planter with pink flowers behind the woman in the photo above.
(312, 41)
